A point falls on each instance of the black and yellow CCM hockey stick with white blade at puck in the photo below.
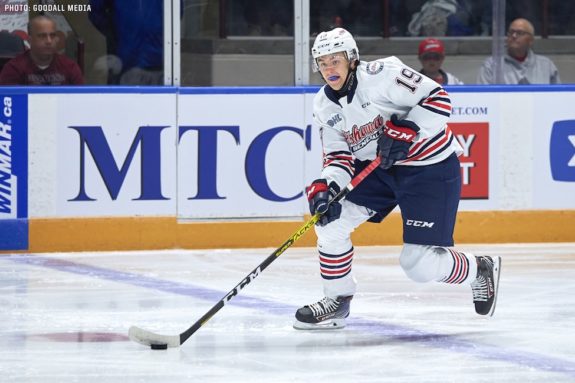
(162, 342)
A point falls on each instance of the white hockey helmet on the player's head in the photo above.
(334, 41)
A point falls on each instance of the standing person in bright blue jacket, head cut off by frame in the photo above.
(134, 34)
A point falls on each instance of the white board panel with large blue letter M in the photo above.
(103, 154)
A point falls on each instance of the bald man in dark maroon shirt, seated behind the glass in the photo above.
(41, 64)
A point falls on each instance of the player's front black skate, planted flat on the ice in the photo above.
(326, 314)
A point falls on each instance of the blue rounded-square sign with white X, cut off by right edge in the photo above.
(562, 151)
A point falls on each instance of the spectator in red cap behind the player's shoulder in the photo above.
(431, 56)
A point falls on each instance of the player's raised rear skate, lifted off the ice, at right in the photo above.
(486, 286)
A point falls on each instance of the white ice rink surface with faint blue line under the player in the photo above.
(64, 318)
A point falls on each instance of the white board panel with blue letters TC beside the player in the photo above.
(244, 155)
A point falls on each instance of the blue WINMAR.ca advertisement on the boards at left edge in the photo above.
(13, 172)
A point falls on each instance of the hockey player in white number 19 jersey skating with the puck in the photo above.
(384, 108)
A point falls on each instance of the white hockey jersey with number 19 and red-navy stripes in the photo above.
(350, 126)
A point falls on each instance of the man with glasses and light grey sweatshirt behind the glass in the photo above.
(520, 64)
